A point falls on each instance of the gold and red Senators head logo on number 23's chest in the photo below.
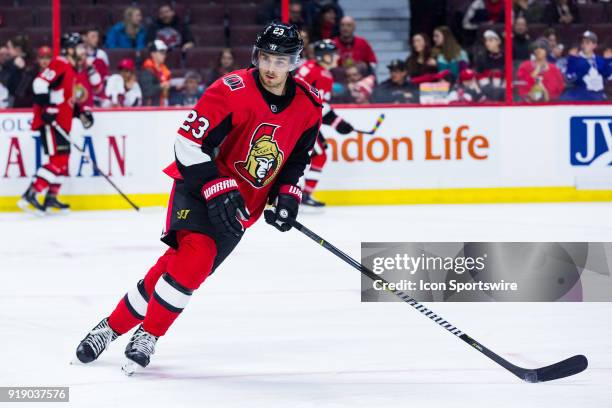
(264, 158)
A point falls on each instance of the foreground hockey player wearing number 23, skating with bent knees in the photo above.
(246, 143)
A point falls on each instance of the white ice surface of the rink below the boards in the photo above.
(280, 324)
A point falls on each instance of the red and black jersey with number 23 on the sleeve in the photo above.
(240, 130)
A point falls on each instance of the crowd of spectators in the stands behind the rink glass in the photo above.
(562, 50)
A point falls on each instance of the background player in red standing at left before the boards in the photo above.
(54, 106)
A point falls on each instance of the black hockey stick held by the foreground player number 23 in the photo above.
(565, 368)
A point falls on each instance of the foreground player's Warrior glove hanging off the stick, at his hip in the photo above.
(225, 205)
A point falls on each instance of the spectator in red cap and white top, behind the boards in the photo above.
(122, 89)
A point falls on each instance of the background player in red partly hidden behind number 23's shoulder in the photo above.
(317, 73)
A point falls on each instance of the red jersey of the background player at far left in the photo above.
(57, 81)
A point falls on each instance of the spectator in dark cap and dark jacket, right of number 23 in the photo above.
(396, 89)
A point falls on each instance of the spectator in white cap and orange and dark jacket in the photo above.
(155, 76)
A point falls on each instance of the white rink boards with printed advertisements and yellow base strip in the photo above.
(418, 155)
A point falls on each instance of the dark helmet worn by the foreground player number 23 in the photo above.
(279, 39)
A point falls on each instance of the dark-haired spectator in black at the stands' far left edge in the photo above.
(18, 71)
